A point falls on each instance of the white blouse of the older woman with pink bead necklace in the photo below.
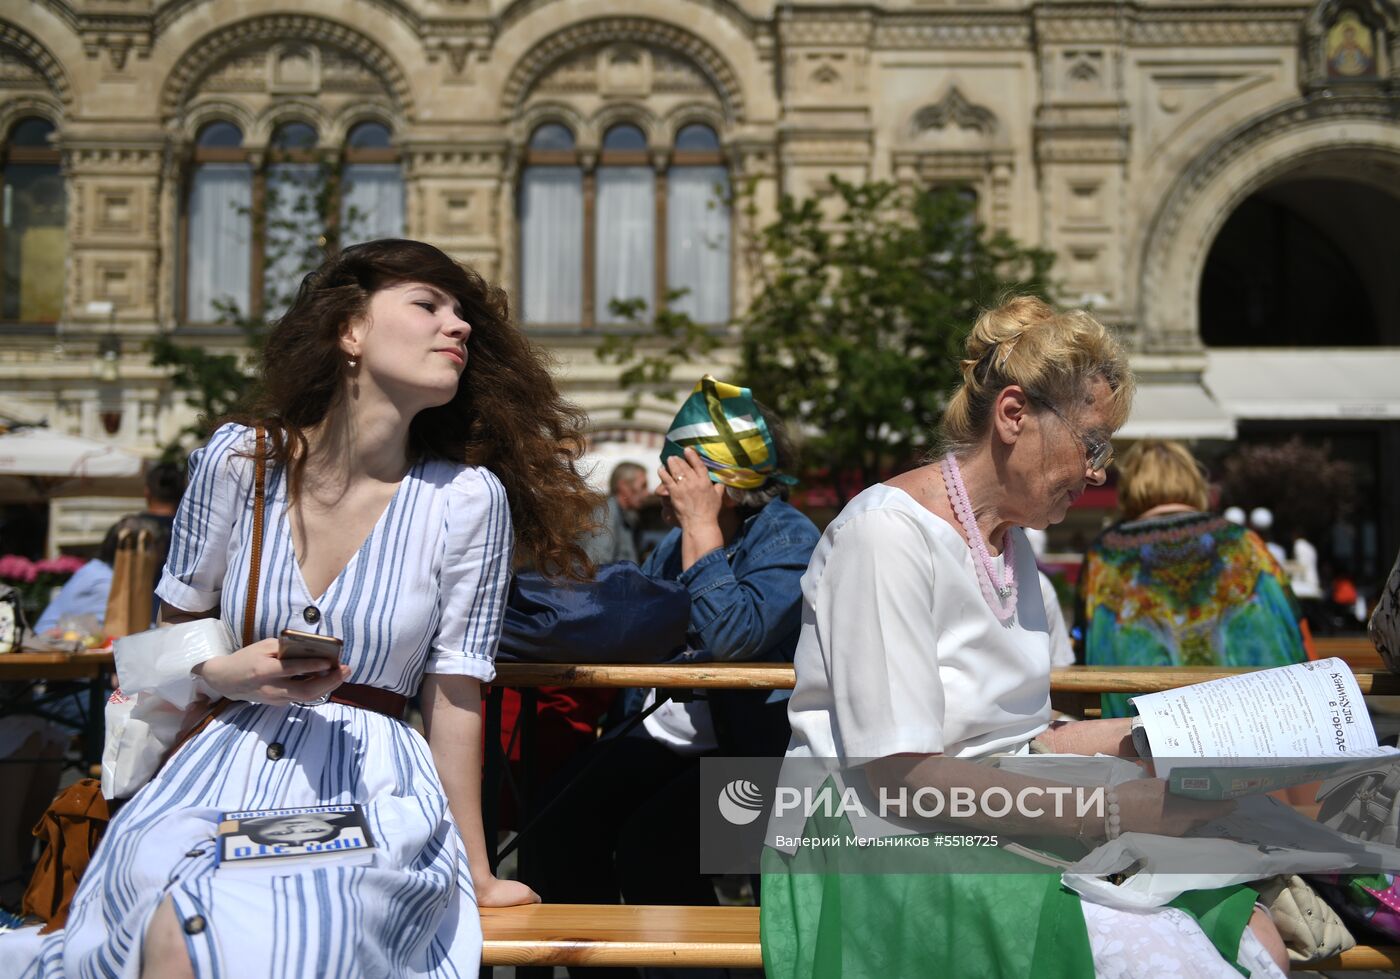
(899, 651)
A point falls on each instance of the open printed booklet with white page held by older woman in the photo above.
(1310, 716)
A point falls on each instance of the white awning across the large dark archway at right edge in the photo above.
(1305, 384)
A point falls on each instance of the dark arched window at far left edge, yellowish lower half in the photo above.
(34, 205)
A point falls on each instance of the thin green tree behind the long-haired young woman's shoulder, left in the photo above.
(299, 225)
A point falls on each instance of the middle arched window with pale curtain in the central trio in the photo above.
(626, 228)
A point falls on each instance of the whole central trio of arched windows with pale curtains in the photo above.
(643, 232)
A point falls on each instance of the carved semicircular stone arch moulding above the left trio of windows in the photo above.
(281, 29)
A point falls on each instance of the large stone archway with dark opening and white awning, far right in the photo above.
(1270, 261)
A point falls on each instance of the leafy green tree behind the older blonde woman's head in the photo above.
(863, 298)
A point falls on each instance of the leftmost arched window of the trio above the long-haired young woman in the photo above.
(219, 232)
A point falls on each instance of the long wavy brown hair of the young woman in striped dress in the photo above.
(507, 414)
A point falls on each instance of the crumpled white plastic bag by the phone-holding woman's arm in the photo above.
(157, 700)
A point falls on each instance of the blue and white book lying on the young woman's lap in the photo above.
(289, 840)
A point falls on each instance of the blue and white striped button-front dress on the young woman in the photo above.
(425, 595)
